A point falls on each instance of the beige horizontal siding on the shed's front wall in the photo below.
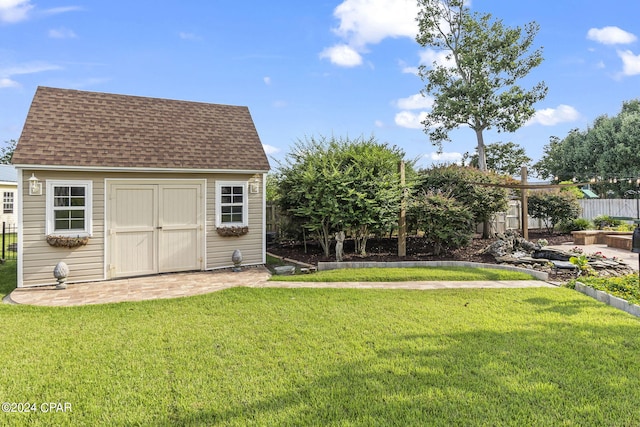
(87, 263)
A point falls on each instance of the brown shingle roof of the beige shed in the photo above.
(89, 129)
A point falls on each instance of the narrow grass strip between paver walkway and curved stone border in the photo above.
(407, 274)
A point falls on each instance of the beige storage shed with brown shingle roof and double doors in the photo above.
(119, 186)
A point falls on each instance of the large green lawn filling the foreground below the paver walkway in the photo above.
(246, 356)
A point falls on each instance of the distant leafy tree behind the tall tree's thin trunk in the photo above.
(502, 158)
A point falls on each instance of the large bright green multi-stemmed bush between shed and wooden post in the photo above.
(334, 184)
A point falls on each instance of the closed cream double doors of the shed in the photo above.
(154, 228)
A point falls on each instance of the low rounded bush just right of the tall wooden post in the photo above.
(447, 223)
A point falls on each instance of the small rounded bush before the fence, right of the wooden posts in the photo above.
(553, 207)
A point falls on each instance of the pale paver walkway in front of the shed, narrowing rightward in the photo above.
(186, 284)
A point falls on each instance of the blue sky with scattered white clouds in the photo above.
(311, 68)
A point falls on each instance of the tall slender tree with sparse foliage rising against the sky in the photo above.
(477, 86)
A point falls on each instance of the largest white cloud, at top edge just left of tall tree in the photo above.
(366, 22)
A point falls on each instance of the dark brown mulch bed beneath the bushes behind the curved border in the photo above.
(387, 250)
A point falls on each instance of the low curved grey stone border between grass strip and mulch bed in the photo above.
(540, 275)
